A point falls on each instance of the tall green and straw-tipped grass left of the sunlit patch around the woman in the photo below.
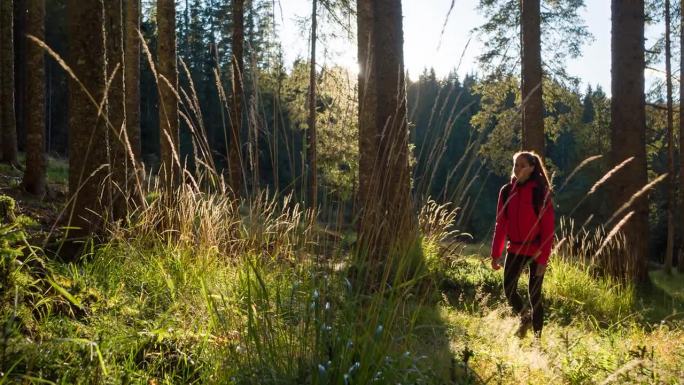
(249, 306)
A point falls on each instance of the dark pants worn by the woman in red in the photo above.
(512, 270)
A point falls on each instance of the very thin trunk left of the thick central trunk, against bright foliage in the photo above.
(311, 142)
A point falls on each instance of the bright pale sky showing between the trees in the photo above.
(423, 21)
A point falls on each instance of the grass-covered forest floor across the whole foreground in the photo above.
(148, 311)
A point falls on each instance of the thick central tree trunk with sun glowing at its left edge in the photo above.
(386, 221)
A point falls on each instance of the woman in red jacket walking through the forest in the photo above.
(525, 216)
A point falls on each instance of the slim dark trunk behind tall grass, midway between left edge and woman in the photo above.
(234, 153)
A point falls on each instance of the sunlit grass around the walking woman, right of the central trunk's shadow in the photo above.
(595, 332)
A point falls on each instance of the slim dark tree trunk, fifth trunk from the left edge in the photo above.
(132, 76)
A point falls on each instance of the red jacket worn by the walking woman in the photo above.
(527, 233)
